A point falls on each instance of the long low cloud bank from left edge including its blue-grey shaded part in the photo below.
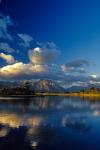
(25, 71)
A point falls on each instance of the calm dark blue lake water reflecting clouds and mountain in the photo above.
(49, 123)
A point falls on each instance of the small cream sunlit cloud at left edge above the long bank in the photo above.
(8, 58)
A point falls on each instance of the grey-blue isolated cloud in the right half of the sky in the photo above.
(75, 66)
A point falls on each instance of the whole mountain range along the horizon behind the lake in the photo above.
(46, 86)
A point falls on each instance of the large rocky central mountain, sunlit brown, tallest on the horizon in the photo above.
(48, 86)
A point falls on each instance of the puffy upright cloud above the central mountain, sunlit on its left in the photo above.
(43, 55)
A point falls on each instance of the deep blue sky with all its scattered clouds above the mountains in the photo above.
(50, 39)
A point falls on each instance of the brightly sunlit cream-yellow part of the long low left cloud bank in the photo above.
(19, 69)
